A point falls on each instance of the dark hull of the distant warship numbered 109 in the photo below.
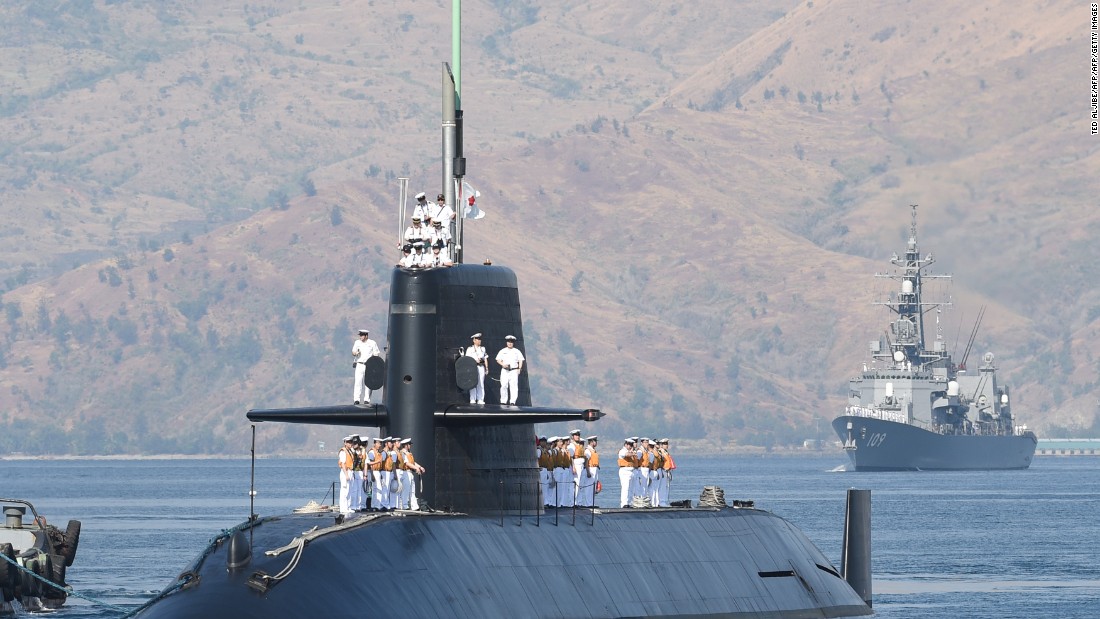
(882, 445)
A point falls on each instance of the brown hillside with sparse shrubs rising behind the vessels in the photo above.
(203, 202)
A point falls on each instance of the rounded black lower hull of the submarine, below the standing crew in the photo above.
(613, 563)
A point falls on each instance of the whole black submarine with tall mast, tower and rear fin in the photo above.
(482, 544)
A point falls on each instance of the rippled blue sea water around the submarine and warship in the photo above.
(997, 545)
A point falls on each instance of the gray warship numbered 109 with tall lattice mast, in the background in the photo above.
(914, 407)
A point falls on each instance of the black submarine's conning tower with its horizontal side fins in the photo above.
(479, 459)
